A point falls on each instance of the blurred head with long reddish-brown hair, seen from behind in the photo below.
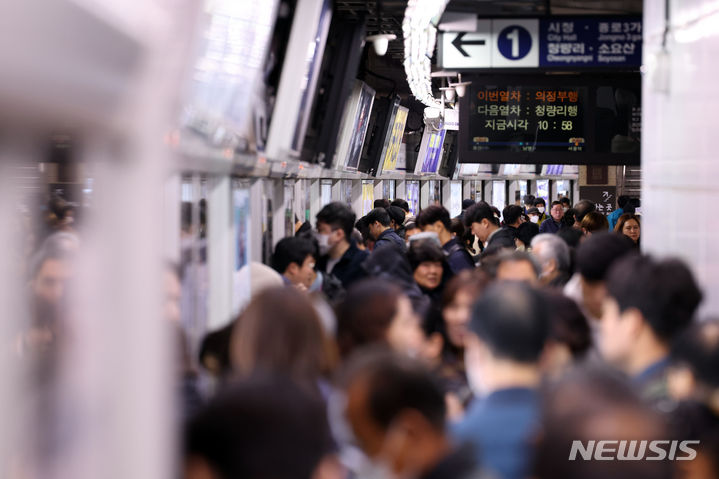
(280, 332)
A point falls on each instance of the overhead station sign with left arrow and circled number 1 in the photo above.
(545, 43)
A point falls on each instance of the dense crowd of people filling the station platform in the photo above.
(493, 344)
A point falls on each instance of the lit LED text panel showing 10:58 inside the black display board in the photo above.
(528, 119)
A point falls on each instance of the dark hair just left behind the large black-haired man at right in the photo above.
(598, 252)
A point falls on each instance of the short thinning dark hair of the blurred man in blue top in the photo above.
(511, 318)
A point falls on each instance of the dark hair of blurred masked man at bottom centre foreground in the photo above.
(396, 384)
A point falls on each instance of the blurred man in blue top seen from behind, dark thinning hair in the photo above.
(509, 328)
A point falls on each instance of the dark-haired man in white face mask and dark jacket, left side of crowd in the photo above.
(339, 253)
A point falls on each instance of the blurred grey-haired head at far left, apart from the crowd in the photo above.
(51, 269)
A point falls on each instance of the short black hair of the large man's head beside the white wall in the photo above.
(665, 292)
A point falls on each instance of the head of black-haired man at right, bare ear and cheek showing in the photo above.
(648, 303)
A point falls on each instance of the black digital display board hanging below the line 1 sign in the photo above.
(552, 120)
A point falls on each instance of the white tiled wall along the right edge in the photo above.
(680, 140)
